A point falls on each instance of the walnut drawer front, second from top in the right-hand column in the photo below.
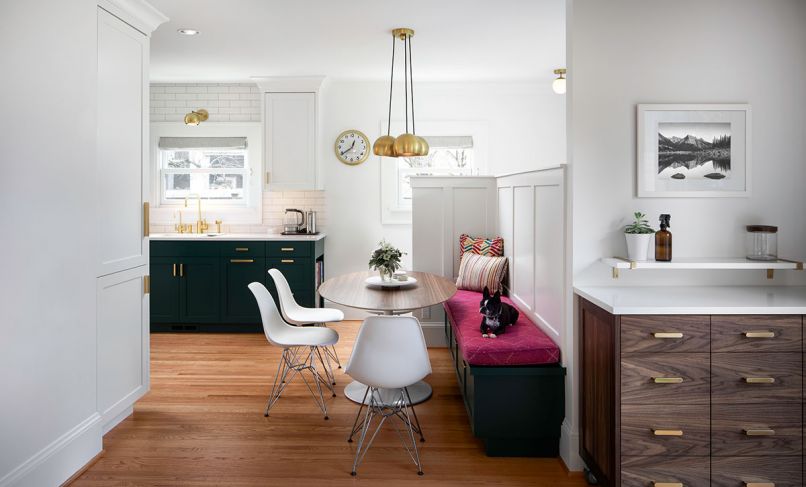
(747, 378)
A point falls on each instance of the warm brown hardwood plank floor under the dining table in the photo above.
(202, 424)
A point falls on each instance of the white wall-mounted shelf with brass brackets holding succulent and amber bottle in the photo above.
(735, 263)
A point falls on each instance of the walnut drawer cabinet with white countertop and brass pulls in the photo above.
(692, 386)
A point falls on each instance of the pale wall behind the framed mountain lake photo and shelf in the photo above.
(627, 52)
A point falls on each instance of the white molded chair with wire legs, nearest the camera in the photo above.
(389, 355)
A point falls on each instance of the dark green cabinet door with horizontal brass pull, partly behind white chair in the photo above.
(238, 304)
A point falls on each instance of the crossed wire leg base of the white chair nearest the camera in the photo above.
(376, 407)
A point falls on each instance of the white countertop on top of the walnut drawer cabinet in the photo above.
(697, 299)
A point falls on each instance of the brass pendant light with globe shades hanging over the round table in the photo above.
(407, 144)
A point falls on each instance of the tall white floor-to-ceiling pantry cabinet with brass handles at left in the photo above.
(121, 187)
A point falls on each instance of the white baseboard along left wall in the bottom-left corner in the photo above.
(60, 459)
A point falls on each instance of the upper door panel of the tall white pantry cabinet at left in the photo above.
(122, 128)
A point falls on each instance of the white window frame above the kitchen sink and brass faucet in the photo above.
(163, 212)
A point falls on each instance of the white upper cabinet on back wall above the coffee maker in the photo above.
(290, 142)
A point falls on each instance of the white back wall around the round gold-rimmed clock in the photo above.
(526, 131)
